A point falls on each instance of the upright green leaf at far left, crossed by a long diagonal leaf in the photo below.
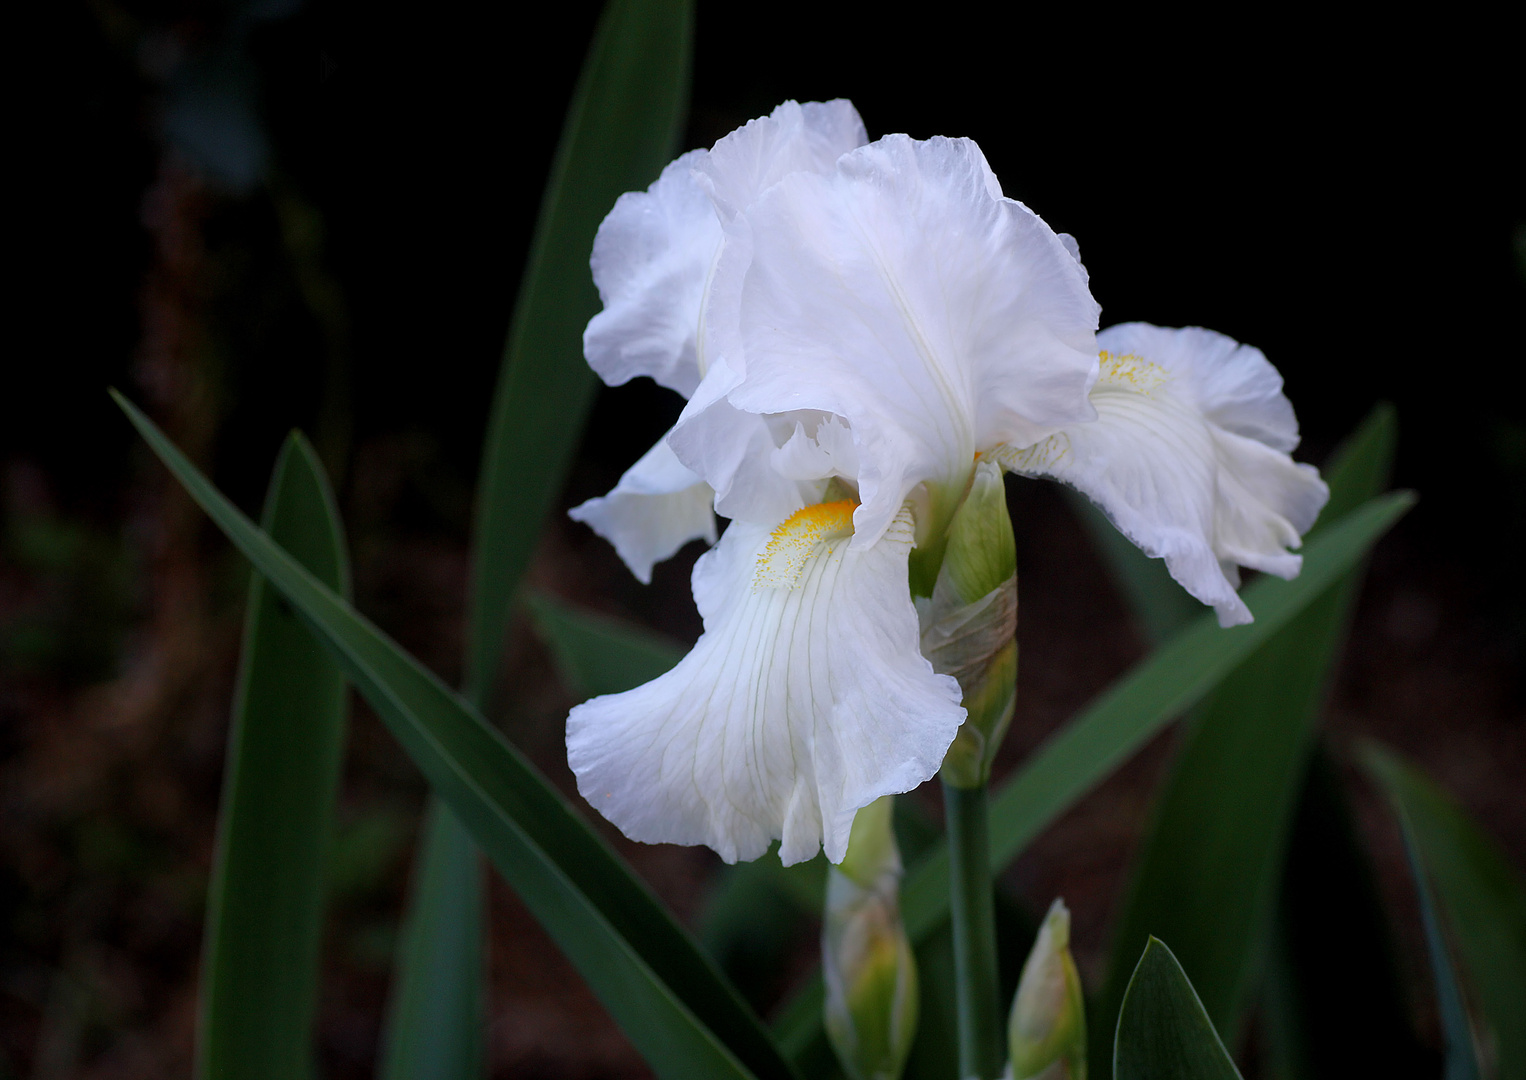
(285, 751)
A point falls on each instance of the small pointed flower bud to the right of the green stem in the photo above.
(1048, 1029)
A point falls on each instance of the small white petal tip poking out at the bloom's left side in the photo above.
(655, 510)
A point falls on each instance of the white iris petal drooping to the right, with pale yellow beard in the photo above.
(1190, 458)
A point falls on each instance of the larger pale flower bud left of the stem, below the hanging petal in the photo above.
(866, 957)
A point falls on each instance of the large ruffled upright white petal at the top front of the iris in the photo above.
(907, 297)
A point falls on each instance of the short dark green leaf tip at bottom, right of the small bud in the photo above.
(1164, 1030)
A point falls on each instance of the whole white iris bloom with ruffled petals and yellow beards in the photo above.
(857, 326)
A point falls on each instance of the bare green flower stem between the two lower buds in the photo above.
(980, 1026)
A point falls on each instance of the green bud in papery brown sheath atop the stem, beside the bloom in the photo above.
(970, 625)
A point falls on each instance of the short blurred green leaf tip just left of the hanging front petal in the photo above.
(599, 655)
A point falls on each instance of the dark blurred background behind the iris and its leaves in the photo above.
(275, 214)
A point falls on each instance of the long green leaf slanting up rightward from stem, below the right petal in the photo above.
(1161, 689)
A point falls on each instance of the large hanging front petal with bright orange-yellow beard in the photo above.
(805, 699)
